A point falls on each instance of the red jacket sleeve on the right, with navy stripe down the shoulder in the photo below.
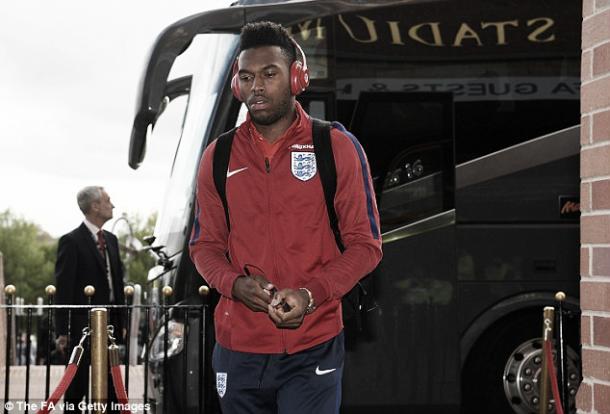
(358, 222)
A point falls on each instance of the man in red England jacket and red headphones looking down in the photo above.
(279, 271)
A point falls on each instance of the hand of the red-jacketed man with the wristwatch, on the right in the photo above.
(287, 309)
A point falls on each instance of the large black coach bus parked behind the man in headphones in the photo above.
(469, 114)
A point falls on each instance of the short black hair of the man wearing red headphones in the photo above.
(267, 33)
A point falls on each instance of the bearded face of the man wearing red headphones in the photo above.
(264, 84)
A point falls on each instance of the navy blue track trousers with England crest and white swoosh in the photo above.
(306, 382)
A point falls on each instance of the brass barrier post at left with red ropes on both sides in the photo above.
(99, 359)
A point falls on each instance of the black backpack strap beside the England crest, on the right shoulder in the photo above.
(325, 162)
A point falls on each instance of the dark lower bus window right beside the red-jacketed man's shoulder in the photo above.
(409, 142)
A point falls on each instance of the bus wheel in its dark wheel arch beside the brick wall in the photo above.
(502, 371)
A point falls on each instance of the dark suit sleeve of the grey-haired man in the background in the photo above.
(65, 280)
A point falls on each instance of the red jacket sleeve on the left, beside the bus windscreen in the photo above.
(209, 239)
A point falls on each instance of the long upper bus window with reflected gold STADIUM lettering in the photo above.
(501, 81)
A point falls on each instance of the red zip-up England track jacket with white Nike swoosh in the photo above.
(279, 224)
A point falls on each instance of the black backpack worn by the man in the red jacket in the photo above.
(354, 300)
